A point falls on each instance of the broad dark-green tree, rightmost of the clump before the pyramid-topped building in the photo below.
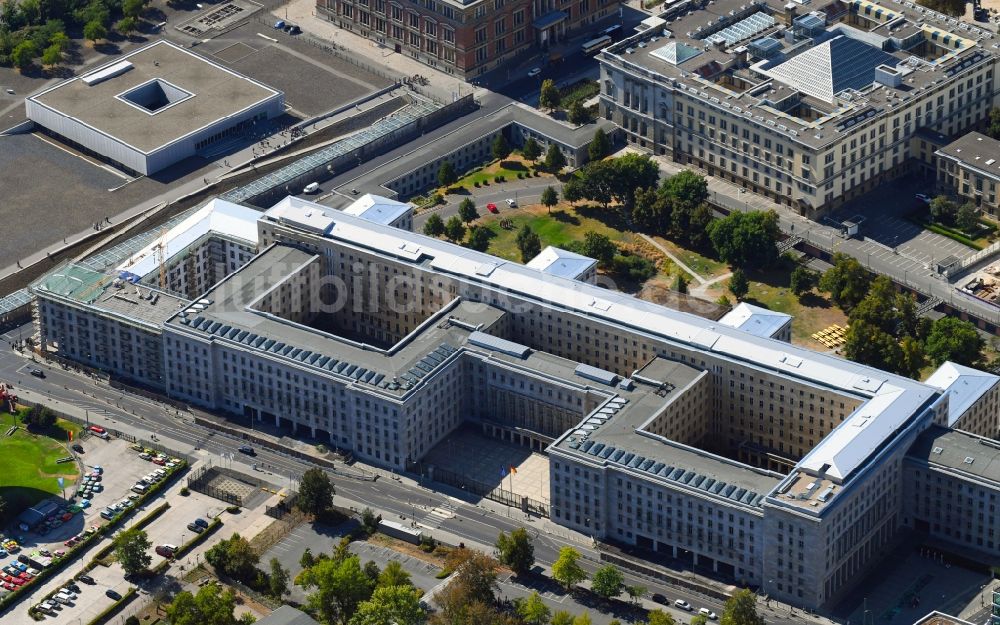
(746, 240)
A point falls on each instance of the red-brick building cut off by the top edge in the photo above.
(465, 38)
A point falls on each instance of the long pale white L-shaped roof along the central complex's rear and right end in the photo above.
(891, 400)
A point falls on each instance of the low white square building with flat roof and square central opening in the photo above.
(154, 107)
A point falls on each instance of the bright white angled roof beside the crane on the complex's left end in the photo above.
(218, 217)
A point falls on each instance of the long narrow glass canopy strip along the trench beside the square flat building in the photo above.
(320, 158)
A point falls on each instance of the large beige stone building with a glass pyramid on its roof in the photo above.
(810, 104)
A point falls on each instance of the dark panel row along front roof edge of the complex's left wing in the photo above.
(320, 361)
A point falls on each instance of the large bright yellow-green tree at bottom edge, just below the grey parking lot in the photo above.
(340, 587)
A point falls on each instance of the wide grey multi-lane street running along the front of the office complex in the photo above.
(400, 501)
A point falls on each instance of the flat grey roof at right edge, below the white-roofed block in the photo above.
(975, 458)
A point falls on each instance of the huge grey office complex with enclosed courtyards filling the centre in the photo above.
(710, 442)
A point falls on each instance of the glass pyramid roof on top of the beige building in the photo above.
(832, 66)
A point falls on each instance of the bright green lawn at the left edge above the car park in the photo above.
(29, 465)
